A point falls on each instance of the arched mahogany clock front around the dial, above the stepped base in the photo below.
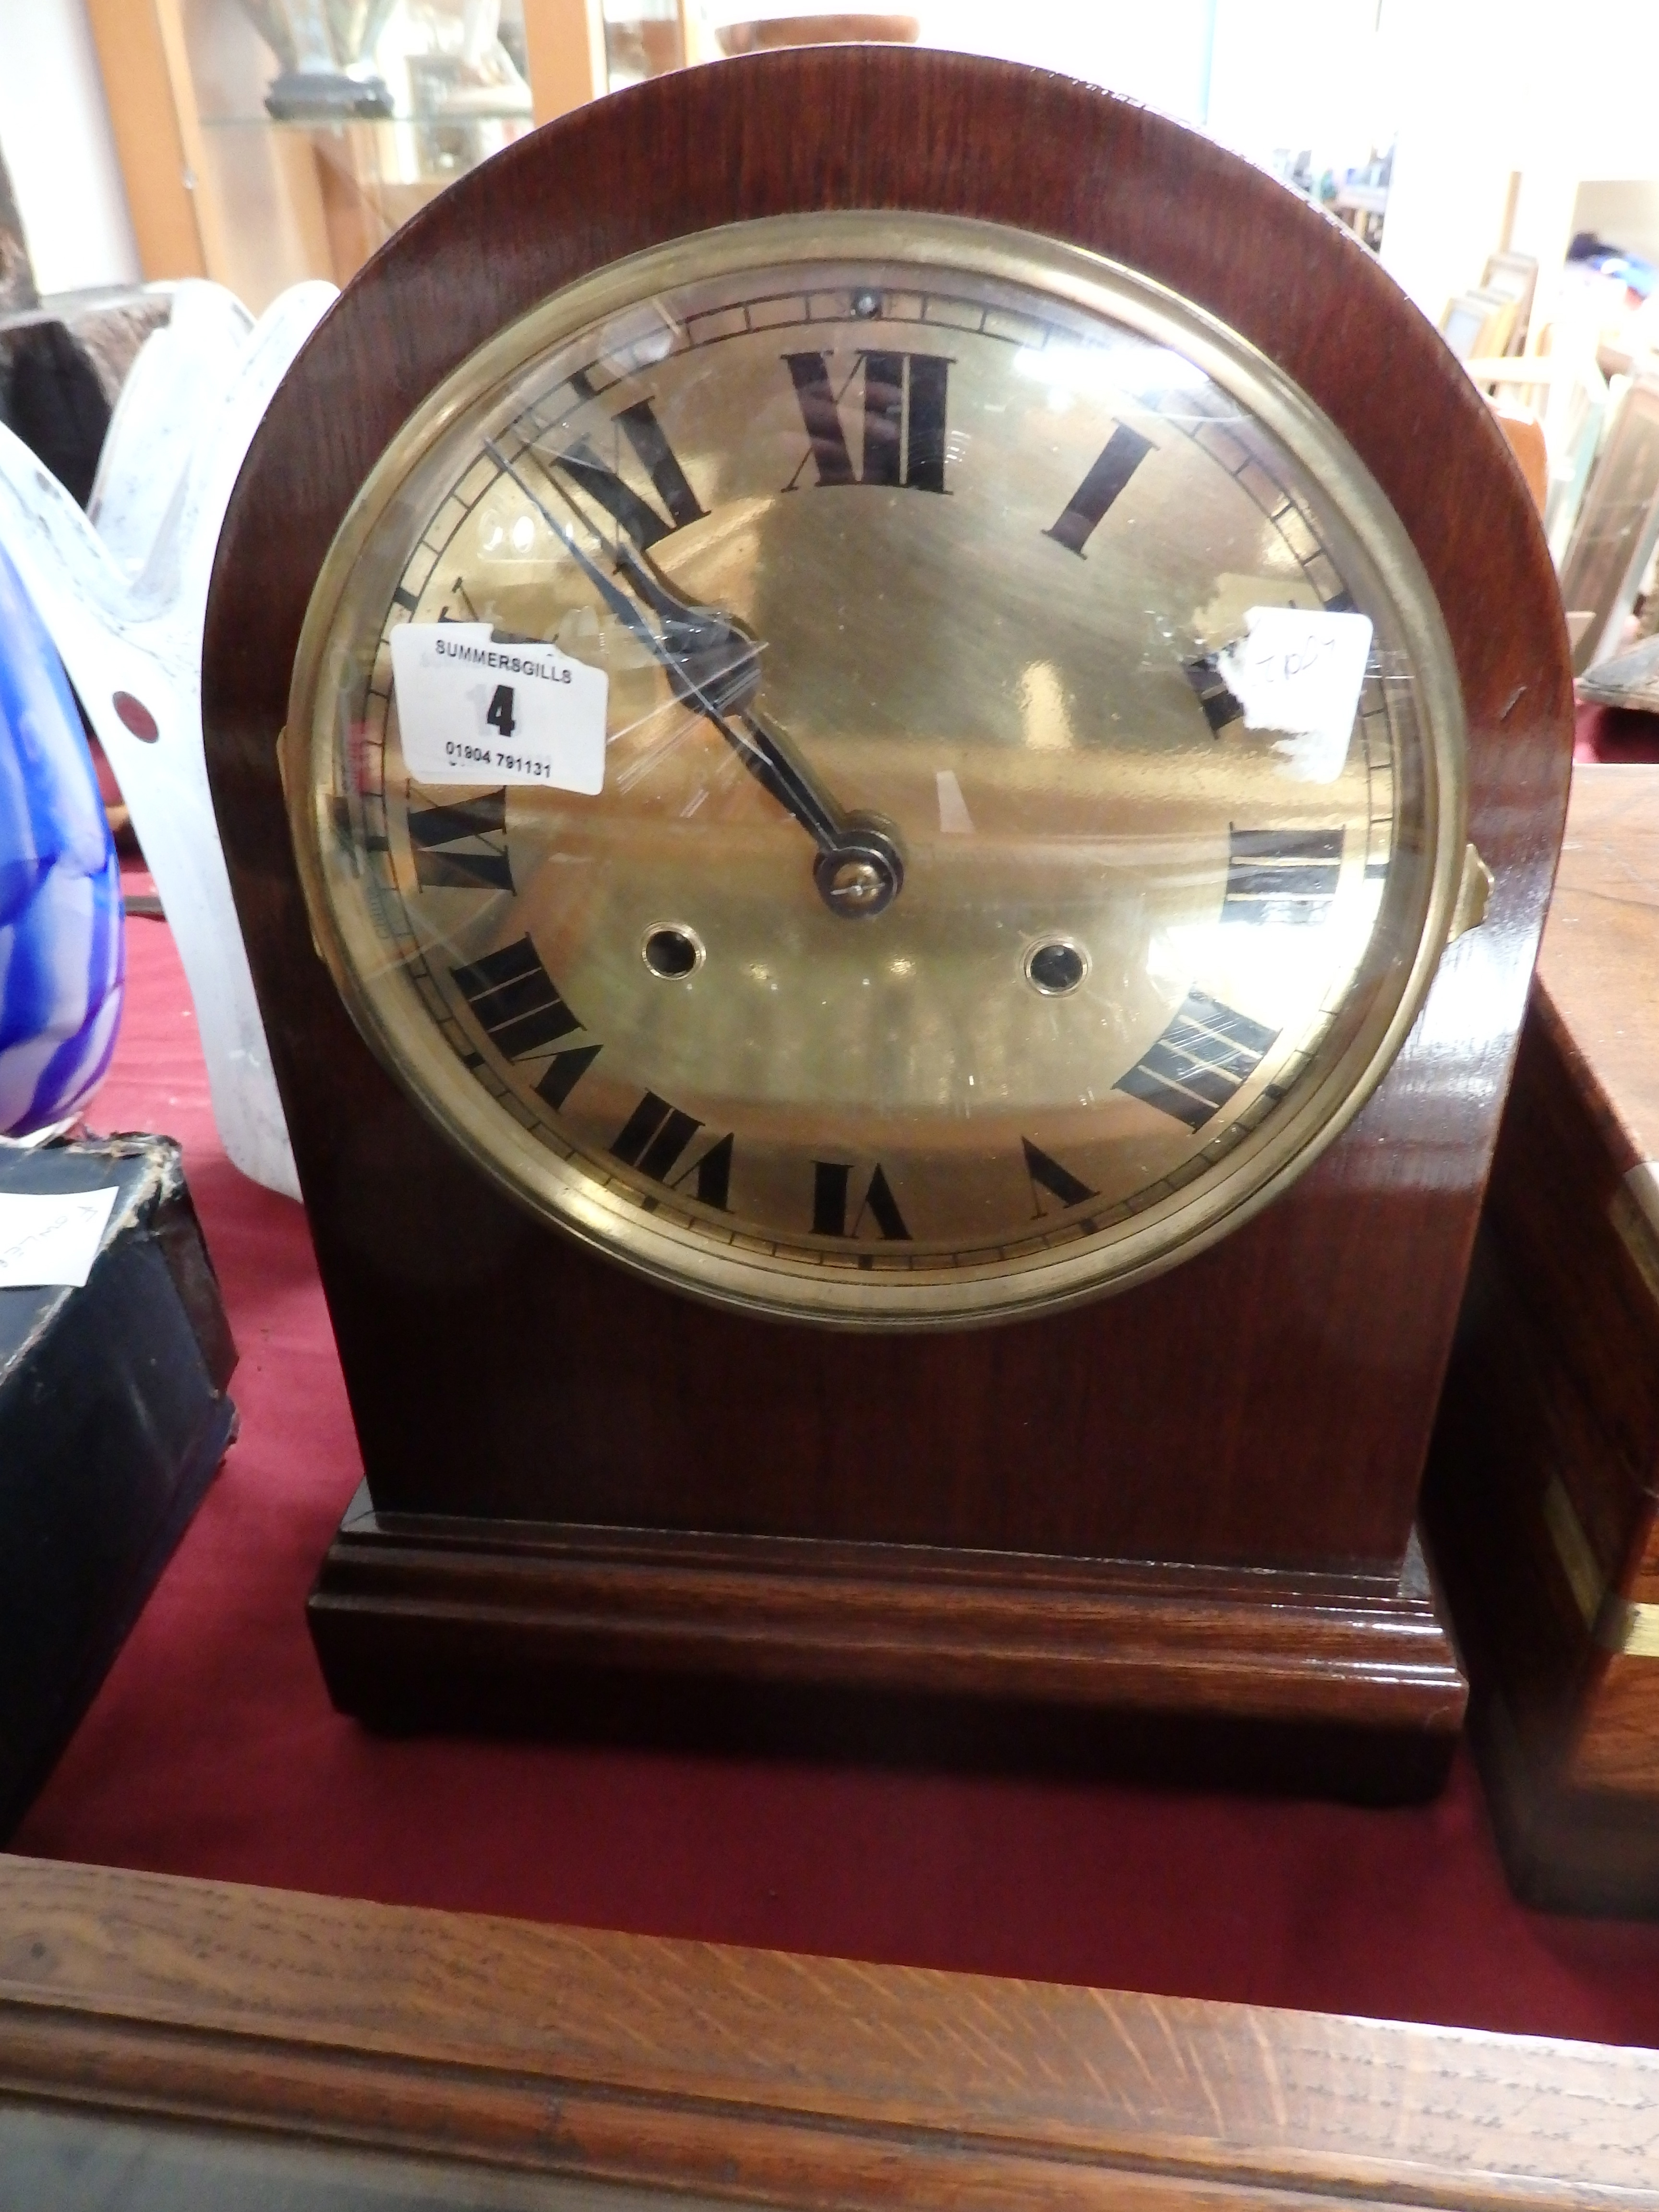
(1269, 1404)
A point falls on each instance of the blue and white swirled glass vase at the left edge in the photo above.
(63, 957)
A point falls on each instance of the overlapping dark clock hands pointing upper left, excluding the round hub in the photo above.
(709, 638)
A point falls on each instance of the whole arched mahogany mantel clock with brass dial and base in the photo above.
(899, 696)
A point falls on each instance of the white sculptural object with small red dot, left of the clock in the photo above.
(125, 594)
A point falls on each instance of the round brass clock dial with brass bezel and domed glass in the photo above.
(879, 769)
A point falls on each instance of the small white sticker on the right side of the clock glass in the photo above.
(1300, 671)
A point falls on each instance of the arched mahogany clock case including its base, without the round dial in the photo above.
(1180, 1514)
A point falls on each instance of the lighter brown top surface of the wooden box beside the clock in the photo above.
(1598, 974)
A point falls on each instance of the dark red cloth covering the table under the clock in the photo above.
(213, 1751)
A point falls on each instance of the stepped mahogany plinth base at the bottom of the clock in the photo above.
(428, 1620)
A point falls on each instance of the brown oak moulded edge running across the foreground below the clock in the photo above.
(773, 2076)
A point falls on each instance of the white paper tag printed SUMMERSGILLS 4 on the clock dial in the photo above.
(477, 711)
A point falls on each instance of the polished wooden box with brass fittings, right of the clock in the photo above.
(1547, 1459)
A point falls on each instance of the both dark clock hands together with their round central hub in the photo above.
(716, 667)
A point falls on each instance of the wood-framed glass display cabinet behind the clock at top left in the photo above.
(273, 140)
